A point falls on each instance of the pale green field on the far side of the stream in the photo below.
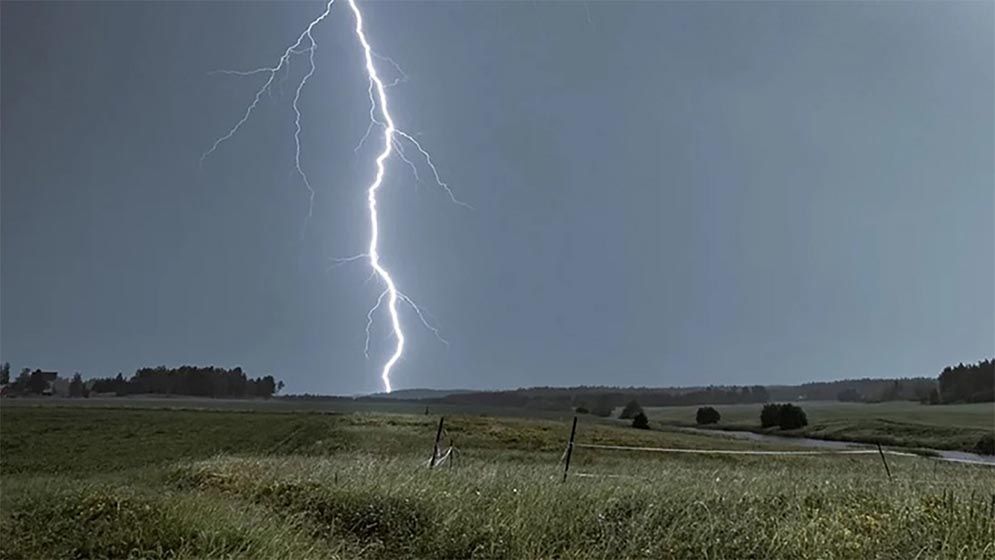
(907, 424)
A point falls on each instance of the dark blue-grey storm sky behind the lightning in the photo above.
(663, 193)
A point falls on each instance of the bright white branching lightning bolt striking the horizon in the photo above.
(393, 139)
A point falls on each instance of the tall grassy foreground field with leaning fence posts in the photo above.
(95, 482)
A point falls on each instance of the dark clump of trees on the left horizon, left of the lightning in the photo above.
(194, 381)
